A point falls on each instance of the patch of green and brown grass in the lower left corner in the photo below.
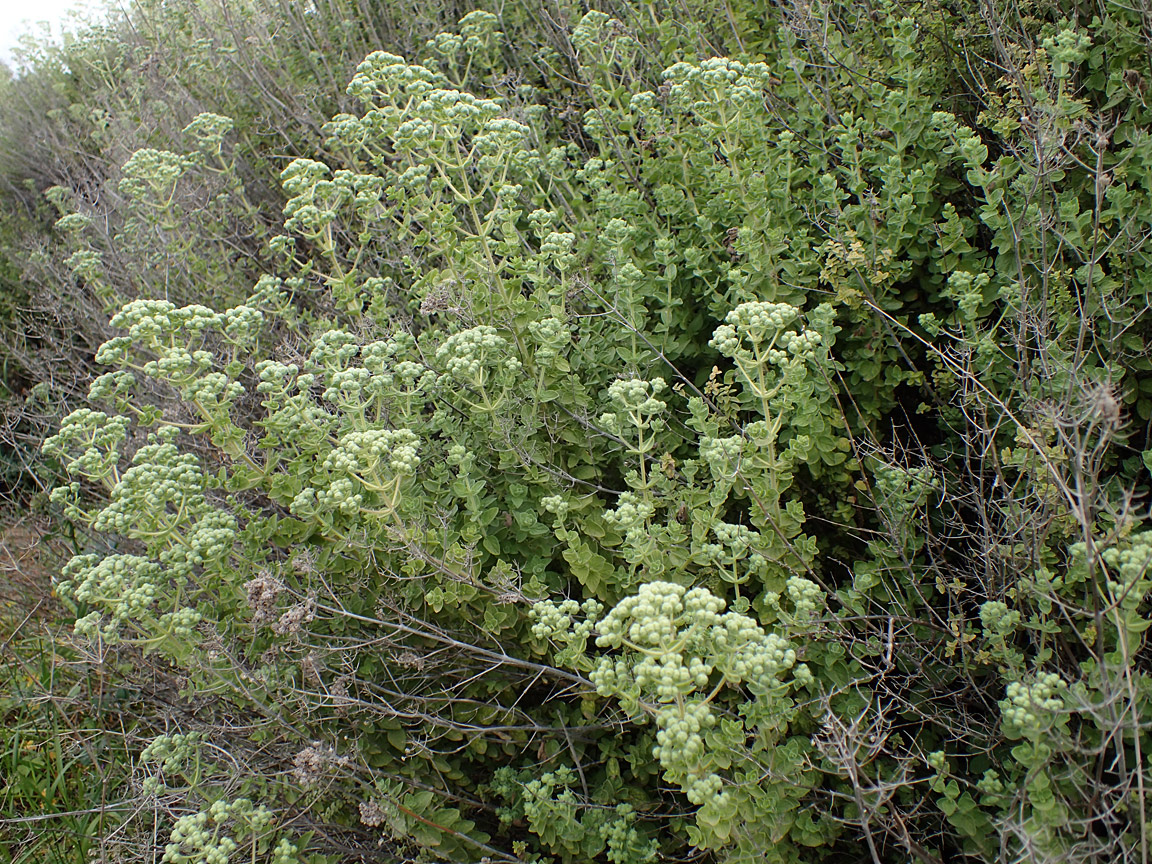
(64, 763)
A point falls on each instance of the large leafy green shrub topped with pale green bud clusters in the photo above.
(734, 474)
